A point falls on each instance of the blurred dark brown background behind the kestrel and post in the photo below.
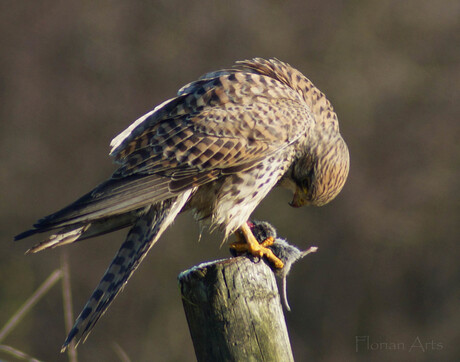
(384, 284)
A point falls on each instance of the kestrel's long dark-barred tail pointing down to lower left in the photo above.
(142, 236)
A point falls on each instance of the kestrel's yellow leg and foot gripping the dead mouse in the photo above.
(247, 242)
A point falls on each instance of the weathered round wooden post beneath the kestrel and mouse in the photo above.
(234, 312)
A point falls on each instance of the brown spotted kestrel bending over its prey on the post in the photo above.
(216, 149)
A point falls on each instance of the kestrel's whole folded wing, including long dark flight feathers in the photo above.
(225, 122)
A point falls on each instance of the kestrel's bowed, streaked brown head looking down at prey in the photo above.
(319, 175)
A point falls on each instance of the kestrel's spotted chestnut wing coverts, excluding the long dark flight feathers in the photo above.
(223, 123)
